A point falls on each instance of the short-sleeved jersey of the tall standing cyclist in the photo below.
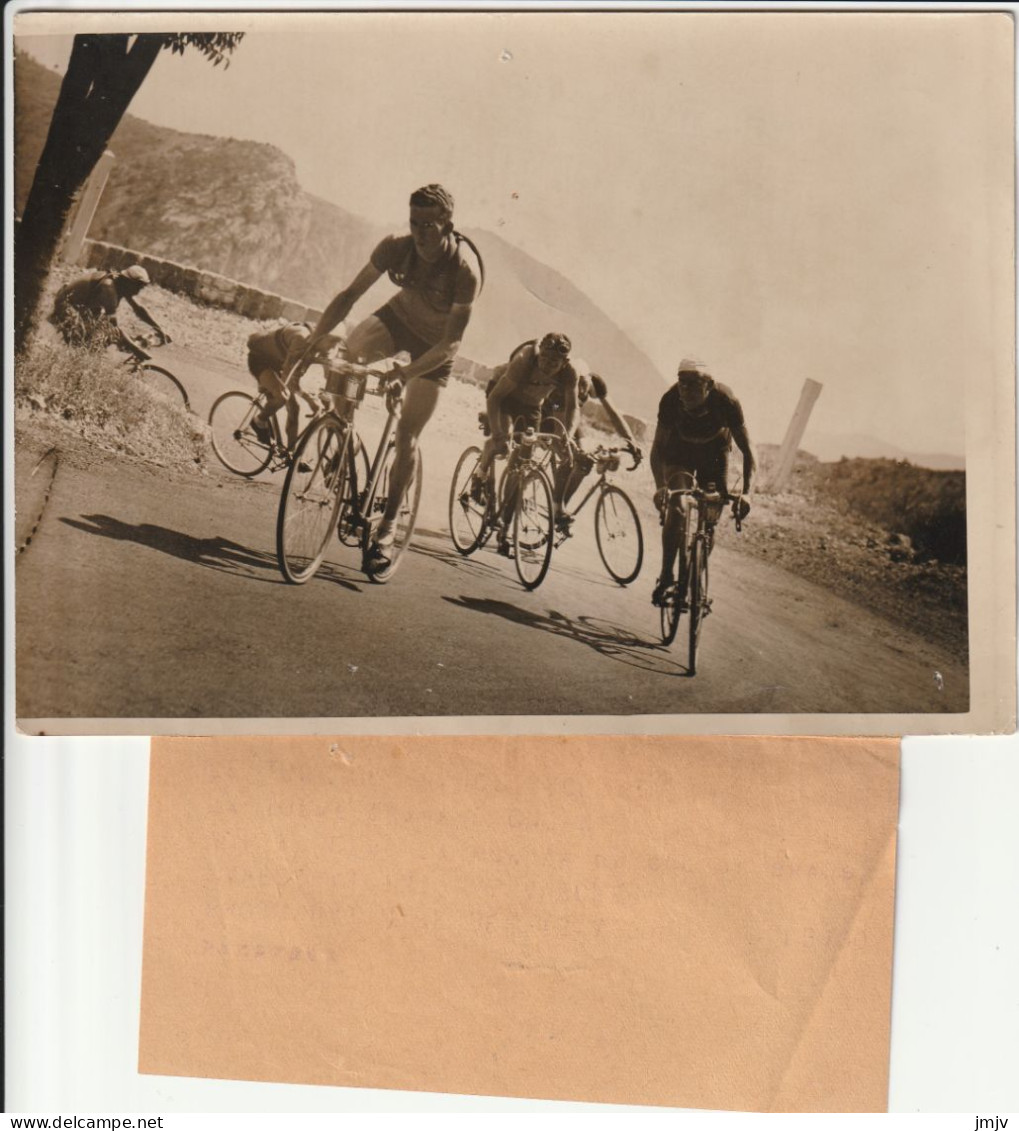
(428, 291)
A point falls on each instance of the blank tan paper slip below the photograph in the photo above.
(686, 922)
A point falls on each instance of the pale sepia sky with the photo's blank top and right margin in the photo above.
(785, 196)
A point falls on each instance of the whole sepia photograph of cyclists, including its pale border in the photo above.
(520, 372)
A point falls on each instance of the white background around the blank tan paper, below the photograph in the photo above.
(76, 816)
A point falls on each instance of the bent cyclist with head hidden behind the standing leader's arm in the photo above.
(278, 360)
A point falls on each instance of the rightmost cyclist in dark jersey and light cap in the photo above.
(698, 422)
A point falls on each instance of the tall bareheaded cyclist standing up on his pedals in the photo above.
(439, 275)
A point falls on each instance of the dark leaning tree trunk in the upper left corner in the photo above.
(103, 75)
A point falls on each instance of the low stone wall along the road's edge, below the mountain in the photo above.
(203, 287)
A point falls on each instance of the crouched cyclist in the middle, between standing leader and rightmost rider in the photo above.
(517, 392)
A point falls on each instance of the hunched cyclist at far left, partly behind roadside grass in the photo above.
(85, 310)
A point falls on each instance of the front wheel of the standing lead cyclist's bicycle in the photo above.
(316, 487)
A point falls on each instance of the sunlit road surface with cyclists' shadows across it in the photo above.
(149, 593)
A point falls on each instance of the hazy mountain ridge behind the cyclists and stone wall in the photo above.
(237, 209)
